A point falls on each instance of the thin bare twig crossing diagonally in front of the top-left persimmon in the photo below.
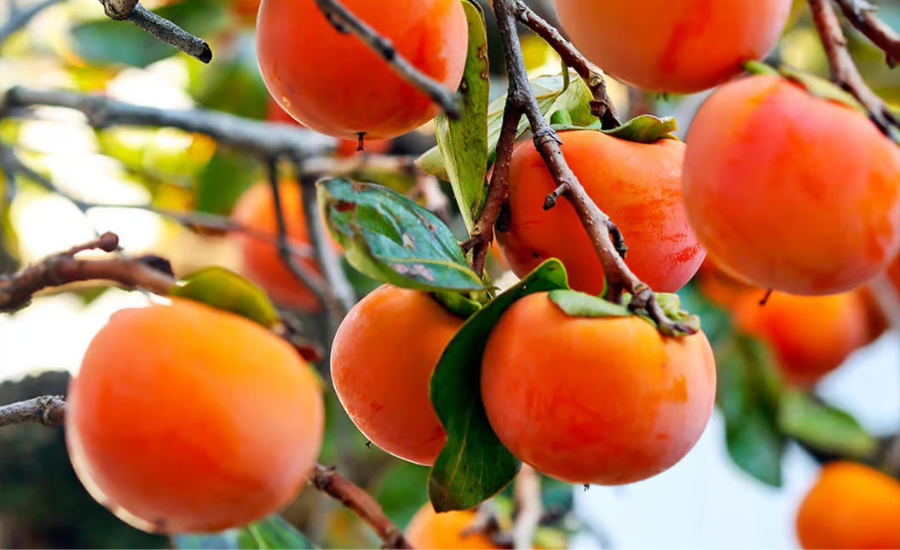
(345, 21)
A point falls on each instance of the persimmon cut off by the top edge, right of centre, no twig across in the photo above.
(681, 47)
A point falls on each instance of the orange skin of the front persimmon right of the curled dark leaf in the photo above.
(594, 401)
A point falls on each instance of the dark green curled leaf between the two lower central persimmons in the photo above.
(474, 465)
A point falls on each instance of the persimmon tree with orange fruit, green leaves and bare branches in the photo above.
(587, 370)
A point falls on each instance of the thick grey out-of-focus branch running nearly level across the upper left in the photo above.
(259, 138)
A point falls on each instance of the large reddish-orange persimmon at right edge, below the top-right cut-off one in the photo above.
(789, 191)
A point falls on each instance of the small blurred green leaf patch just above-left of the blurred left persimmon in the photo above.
(222, 181)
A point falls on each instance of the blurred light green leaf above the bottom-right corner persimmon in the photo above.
(824, 427)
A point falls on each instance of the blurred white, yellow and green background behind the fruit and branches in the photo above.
(706, 501)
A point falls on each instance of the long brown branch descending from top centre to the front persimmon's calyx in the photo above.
(603, 233)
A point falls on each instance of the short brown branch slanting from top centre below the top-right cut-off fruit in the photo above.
(602, 105)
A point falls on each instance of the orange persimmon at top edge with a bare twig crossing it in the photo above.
(314, 71)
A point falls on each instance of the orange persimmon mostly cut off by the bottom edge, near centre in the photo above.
(448, 530)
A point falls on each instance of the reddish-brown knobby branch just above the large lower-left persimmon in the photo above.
(150, 272)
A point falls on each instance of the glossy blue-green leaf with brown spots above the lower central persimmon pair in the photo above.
(392, 239)
